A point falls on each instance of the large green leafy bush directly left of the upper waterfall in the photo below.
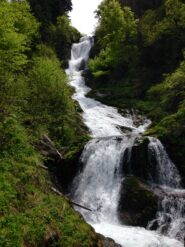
(49, 108)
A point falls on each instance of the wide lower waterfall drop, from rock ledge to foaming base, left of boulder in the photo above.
(98, 186)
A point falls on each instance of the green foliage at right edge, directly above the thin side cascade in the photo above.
(171, 95)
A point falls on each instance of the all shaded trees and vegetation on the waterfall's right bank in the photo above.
(140, 64)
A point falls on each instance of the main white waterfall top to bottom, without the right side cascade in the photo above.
(97, 186)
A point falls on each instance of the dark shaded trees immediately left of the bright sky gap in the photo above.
(55, 28)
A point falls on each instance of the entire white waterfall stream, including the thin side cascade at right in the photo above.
(98, 184)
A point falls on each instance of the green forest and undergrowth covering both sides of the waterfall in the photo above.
(137, 62)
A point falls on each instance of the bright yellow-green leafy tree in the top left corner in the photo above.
(17, 27)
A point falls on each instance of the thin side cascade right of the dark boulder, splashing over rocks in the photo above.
(170, 219)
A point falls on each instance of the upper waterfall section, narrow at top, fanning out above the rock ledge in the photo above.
(101, 120)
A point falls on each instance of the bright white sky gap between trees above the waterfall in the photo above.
(83, 16)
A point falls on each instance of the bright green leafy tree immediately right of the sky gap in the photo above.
(115, 36)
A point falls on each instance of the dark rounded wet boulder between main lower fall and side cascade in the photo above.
(138, 204)
